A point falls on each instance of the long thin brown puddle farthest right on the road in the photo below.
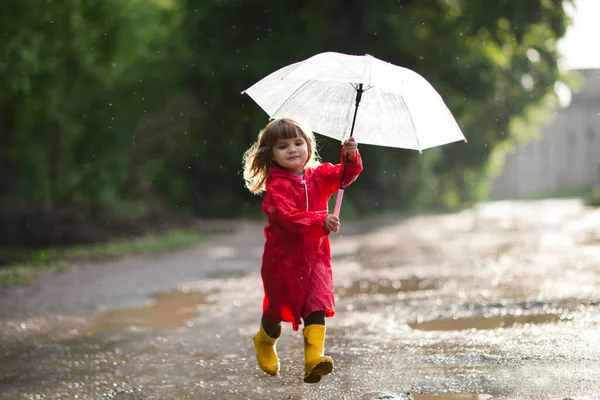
(482, 323)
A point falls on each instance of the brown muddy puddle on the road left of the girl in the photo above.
(169, 311)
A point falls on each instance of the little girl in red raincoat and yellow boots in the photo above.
(296, 268)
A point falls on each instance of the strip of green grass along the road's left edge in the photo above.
(21, 272)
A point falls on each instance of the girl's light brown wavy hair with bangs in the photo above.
(258, 159)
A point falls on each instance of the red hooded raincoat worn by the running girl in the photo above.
(296, 268)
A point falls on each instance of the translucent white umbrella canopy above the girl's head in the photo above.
(398, 107)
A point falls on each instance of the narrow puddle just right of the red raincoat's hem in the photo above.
(385, 287)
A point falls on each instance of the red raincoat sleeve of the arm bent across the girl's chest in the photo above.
(280, 208)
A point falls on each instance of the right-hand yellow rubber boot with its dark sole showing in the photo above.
(315, 363)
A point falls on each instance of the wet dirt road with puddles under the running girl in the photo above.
(501, 301)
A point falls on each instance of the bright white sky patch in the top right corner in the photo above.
(580, 45)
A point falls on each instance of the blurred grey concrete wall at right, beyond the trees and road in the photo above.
(567, 154)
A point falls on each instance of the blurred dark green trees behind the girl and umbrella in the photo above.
(114, 112)
